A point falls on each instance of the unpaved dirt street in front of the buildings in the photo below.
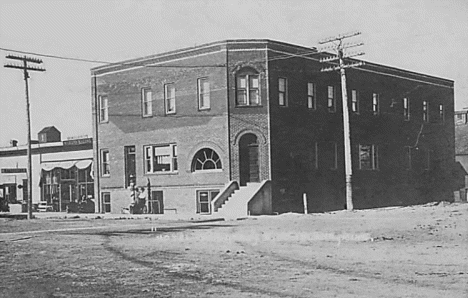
(418, 251)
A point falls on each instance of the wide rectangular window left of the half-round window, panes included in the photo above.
(161, 158)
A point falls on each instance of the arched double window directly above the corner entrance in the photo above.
(247, 88)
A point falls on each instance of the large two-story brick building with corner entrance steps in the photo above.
(199, 123)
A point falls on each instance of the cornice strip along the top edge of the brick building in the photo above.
(226, 43)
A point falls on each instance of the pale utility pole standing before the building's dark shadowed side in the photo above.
(339, 47)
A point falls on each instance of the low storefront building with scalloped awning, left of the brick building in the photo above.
(61, 170)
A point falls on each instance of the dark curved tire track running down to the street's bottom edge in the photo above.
(189, 276)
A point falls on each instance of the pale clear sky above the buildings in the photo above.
(425, 36)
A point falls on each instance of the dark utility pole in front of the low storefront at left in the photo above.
(25, 68)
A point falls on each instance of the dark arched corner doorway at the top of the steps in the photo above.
(248, 159)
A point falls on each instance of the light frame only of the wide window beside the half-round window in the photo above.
(173, 166)
